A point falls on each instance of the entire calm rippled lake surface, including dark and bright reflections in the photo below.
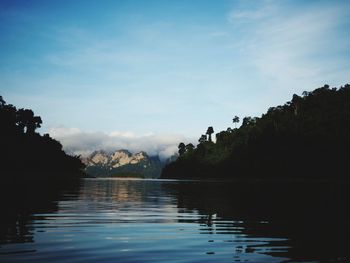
(109, 220)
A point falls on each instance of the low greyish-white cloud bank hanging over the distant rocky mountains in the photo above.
(78, 142)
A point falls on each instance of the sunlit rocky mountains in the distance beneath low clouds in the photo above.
(122, 163)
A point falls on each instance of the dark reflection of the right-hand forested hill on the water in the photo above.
(309, 220)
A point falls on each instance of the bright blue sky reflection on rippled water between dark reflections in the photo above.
(139, 221)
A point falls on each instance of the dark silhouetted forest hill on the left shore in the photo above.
(26, 155)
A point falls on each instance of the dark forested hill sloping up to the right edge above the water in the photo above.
(306, 138)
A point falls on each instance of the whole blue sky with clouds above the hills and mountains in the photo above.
(147, 74)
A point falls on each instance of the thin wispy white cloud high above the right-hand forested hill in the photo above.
(295, 45)
